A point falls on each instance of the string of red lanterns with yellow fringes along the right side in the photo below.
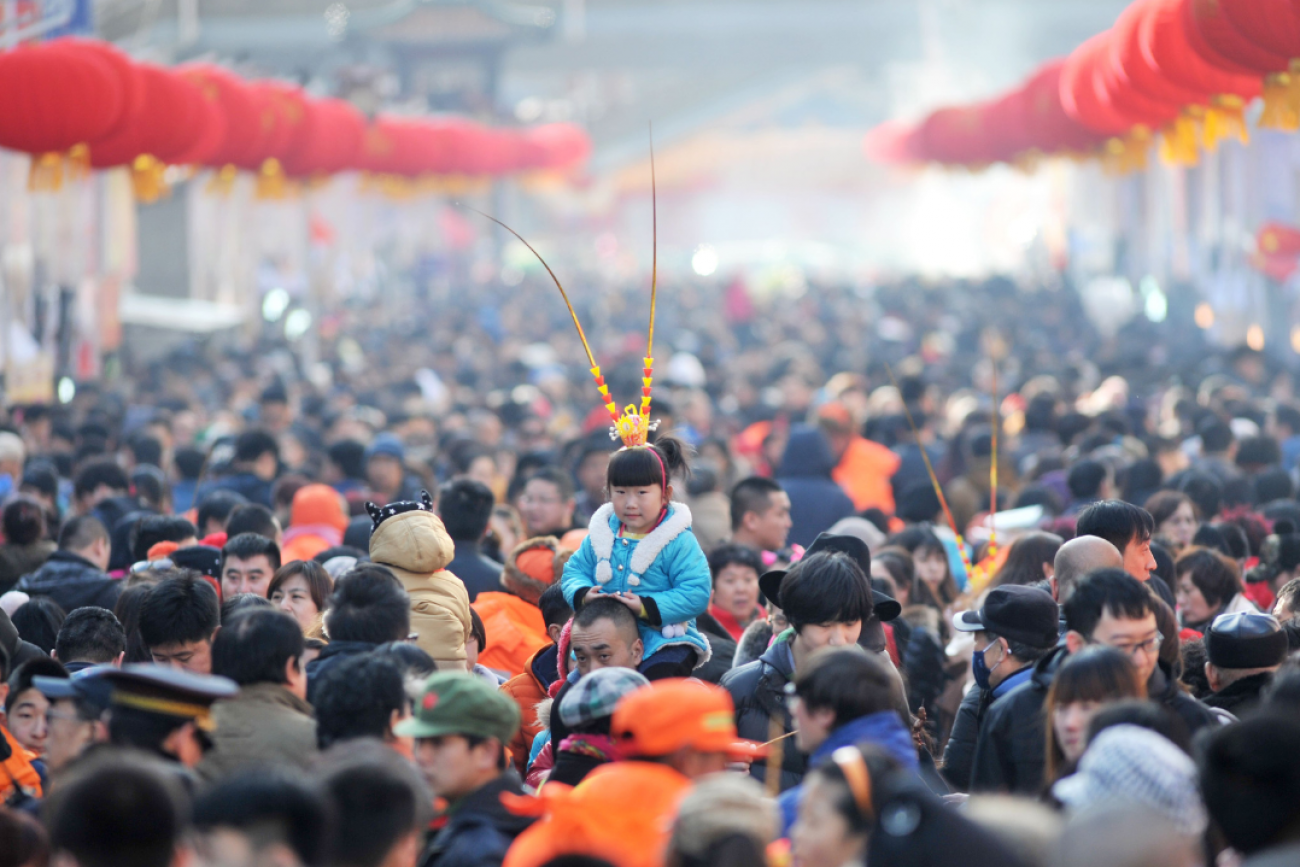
(1178, 73)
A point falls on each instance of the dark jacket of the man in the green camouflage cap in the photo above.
(479, 830)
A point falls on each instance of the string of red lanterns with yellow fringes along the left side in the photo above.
(80, 103)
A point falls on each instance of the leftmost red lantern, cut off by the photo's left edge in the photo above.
(54, 98)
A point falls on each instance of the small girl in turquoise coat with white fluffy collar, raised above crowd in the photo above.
(640, 552)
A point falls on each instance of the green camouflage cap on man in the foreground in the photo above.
(461, 704)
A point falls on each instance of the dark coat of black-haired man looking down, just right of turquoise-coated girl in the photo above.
(759, 691)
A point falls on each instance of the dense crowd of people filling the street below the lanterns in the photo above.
(898, 579)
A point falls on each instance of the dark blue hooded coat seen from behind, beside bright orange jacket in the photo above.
(817, 501)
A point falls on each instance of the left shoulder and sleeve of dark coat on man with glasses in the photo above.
(1011, 752)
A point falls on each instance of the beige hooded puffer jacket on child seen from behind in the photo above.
(415, 545)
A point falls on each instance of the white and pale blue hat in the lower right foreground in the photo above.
(1137, 765)
